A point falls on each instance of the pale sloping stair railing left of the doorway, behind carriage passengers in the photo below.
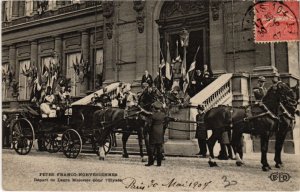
(112, 91)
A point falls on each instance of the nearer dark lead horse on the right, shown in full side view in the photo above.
(261, 120)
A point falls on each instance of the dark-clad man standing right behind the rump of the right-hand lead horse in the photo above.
(201, 132)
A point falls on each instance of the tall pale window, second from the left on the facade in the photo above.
(24, 89)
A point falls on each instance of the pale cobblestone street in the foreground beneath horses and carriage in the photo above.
(44, 171)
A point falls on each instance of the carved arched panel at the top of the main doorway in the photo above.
(180, 8)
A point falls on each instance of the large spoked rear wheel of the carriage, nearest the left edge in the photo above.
(22, 136)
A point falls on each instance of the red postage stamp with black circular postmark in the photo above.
(277, 21)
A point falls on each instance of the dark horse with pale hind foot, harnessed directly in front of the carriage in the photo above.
(109, 120)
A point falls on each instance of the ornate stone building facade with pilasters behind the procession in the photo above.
(121, 39)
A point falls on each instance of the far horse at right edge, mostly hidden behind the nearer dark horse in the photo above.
(287, 112)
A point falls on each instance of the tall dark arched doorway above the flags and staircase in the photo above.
(192, 16)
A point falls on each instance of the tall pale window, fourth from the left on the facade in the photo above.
(73, 59)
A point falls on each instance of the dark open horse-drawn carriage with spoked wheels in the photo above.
(67, 132)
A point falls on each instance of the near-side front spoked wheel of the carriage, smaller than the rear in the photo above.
(71, 143)
